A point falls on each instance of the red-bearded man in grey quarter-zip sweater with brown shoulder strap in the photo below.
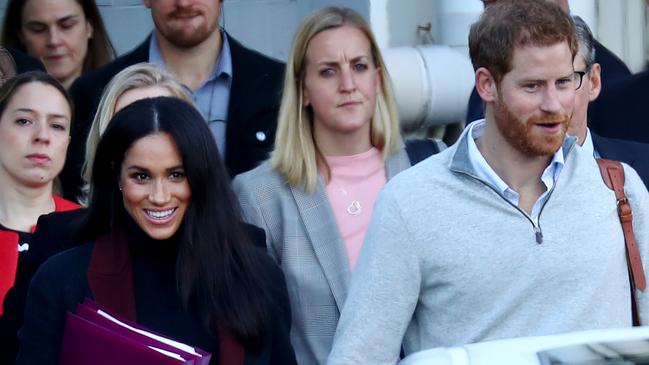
(509, 232)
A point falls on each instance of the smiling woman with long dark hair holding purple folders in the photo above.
(164, 226)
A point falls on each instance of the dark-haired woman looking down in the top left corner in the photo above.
(68, 36)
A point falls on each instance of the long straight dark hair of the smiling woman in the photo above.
(216, 271)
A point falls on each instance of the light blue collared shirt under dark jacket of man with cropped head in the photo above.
(213, 96)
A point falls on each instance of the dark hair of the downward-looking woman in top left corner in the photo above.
(100, 48)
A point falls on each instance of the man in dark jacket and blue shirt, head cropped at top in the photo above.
(236, 89)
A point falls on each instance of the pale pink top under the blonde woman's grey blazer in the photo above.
(355, 183)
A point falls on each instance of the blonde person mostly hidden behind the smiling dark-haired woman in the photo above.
(139, 81)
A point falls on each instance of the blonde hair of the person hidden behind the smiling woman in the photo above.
(140, 75)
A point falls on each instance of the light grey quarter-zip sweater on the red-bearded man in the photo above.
(449, 261)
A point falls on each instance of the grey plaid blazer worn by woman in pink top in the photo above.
(302, 235)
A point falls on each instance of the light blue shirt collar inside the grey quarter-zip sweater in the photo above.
(487, 174)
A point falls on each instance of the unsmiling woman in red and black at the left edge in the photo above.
(35, 114)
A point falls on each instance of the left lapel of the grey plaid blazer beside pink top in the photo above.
(324, 235)
